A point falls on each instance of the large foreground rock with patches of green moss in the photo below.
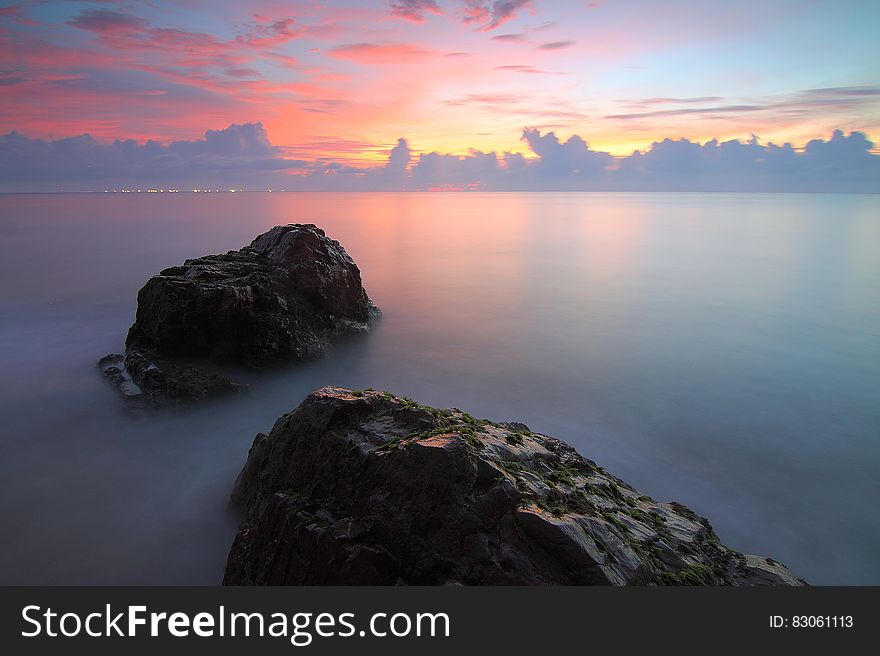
(368, 488)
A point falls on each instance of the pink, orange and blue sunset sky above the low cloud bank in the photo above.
(342, 81)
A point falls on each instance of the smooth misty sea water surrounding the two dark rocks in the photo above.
(720, 350)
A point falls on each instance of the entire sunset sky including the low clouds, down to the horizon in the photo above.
(440, 93)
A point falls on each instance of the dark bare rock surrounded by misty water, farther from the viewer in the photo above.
(283, 298)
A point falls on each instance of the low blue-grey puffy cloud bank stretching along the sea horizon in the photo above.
(243, 157)
